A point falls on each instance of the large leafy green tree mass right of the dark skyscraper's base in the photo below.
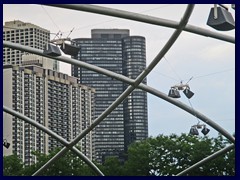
(169, 155)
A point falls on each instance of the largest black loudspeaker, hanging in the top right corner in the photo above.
(224, 21)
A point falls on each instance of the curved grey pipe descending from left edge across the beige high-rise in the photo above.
(56, 136)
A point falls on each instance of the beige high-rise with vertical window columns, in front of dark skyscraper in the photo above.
(50, 98)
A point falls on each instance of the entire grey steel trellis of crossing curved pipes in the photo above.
(182, 25)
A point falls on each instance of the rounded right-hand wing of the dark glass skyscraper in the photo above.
(135, 105)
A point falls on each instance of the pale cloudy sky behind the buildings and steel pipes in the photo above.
(209, 62)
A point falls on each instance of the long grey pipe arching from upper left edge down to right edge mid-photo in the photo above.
(128, 81)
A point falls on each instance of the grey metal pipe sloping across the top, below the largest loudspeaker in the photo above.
(145, 19)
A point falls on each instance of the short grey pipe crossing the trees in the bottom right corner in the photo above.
(207, 159)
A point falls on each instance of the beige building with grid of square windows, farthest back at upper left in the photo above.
(26, 34)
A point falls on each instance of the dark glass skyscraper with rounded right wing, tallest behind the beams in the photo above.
(117, 51)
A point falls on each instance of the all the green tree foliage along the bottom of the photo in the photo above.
(159, 156)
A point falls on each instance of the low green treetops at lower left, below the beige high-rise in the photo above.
(68, 165)
